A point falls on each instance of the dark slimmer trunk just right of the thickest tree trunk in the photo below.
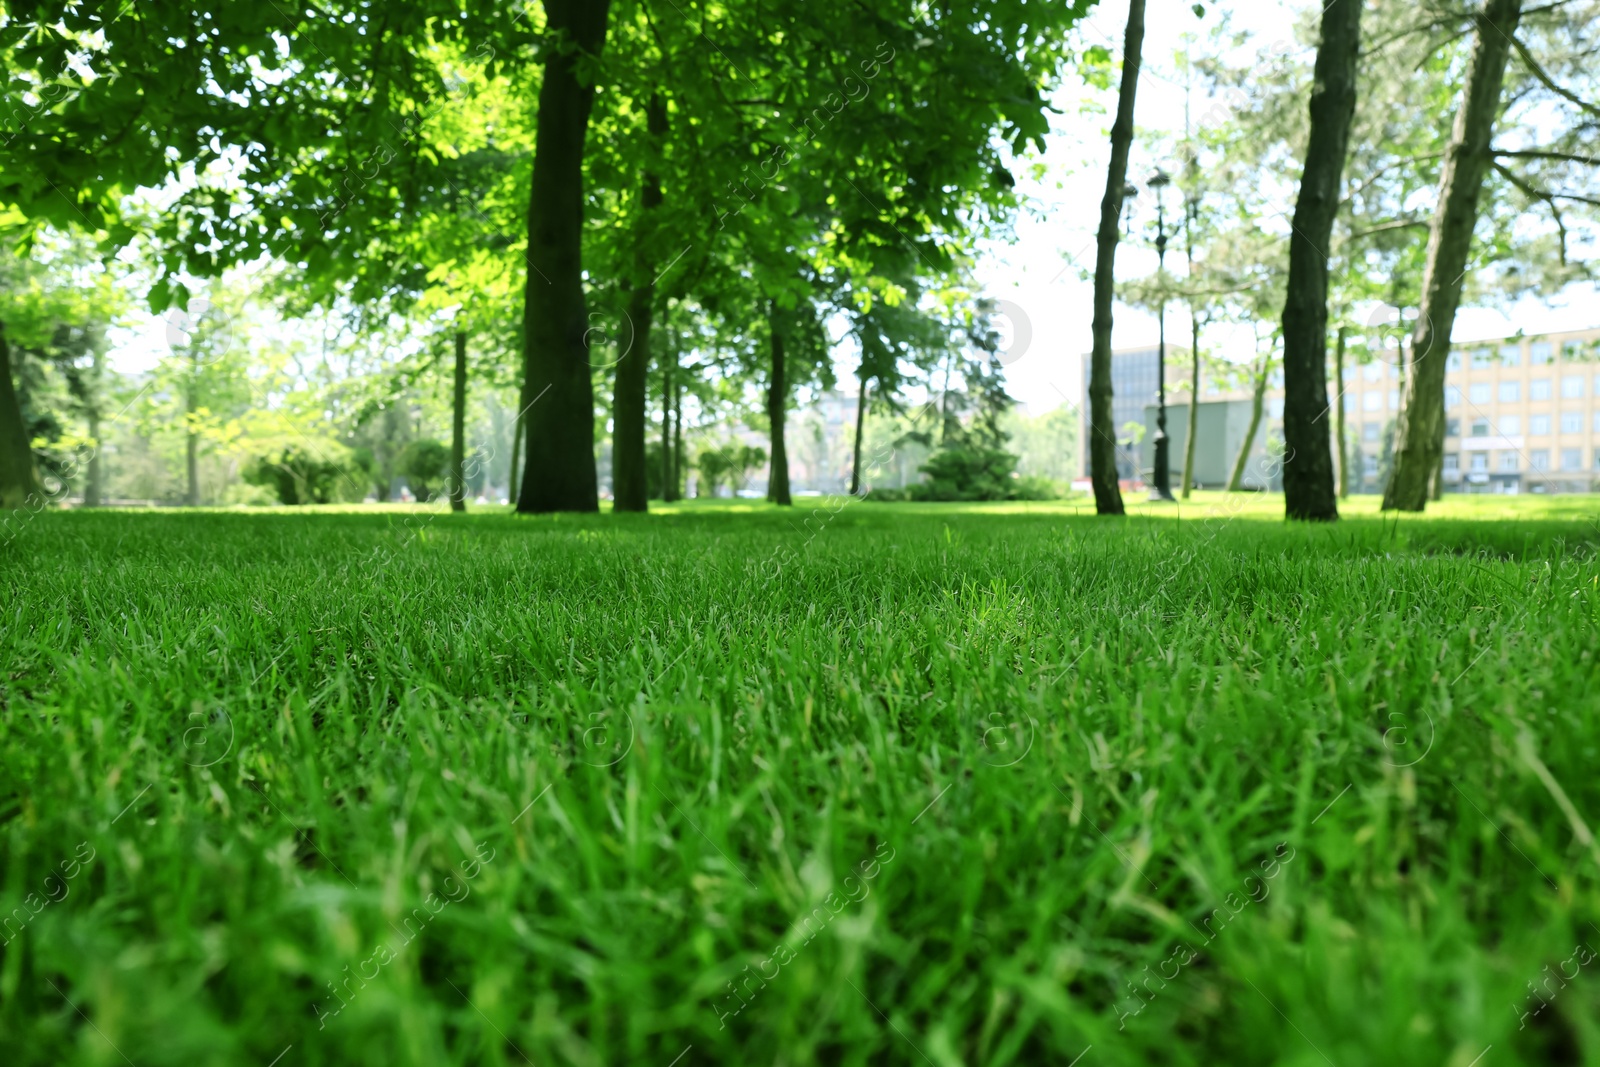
(630, 414)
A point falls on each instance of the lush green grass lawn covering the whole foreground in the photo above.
(724, 785)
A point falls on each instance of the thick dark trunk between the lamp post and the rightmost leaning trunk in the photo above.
(1308, 462)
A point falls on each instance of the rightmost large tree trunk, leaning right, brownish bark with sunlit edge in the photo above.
(1420, 433)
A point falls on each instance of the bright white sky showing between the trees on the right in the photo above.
(1041, 271)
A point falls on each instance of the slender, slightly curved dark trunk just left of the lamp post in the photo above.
(1103, 436)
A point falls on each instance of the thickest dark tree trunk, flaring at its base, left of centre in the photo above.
(559, 466)
